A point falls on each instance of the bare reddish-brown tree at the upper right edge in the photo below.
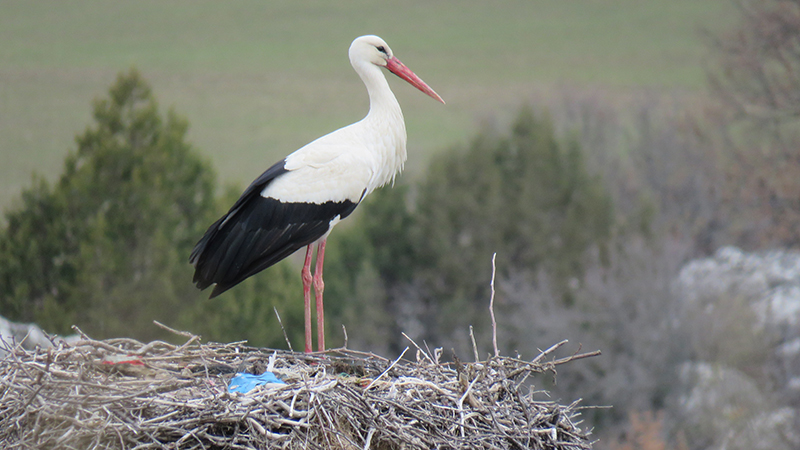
(756, 77)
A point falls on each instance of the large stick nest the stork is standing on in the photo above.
(125, 394)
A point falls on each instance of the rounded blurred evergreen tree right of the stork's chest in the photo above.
(527, 197)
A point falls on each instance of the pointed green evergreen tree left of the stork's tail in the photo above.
(105, 247)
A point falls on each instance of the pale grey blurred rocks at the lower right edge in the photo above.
(725, 407)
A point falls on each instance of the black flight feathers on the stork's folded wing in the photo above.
(258, 232)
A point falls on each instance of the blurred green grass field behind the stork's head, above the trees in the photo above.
(257, 79)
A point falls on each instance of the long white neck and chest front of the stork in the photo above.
(385, 120)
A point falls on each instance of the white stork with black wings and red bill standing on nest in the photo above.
(296, 202)
